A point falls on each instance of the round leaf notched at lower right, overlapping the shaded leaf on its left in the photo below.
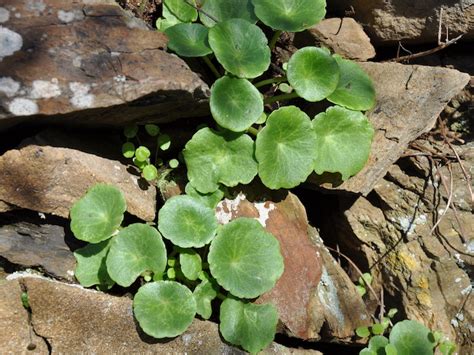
(136, 249)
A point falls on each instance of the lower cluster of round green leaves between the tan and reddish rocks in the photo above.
(235, 262)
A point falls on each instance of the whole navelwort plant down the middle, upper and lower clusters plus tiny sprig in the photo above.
(189, 260)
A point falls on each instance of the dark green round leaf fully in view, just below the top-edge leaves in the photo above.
(240, 47)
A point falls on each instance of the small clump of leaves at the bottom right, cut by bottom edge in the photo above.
(407, 337)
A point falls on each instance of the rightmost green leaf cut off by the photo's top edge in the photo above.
(290, 15)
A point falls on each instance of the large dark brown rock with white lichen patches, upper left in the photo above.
(66, 57)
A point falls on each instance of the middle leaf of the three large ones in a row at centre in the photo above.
(285, 148)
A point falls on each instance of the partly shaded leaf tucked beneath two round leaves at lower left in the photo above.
(91, 269)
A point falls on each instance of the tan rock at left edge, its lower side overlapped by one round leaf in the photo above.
(49, 179)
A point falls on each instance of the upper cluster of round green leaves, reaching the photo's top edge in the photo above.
(289, 146)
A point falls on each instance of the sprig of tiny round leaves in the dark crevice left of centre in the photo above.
(141, 155)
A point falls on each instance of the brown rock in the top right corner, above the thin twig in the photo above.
(416, 22)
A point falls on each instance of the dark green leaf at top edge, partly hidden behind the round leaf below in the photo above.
(225, 10)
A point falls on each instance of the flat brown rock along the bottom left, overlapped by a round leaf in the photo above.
(76, 320)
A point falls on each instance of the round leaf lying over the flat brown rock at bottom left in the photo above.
(164, 309)
